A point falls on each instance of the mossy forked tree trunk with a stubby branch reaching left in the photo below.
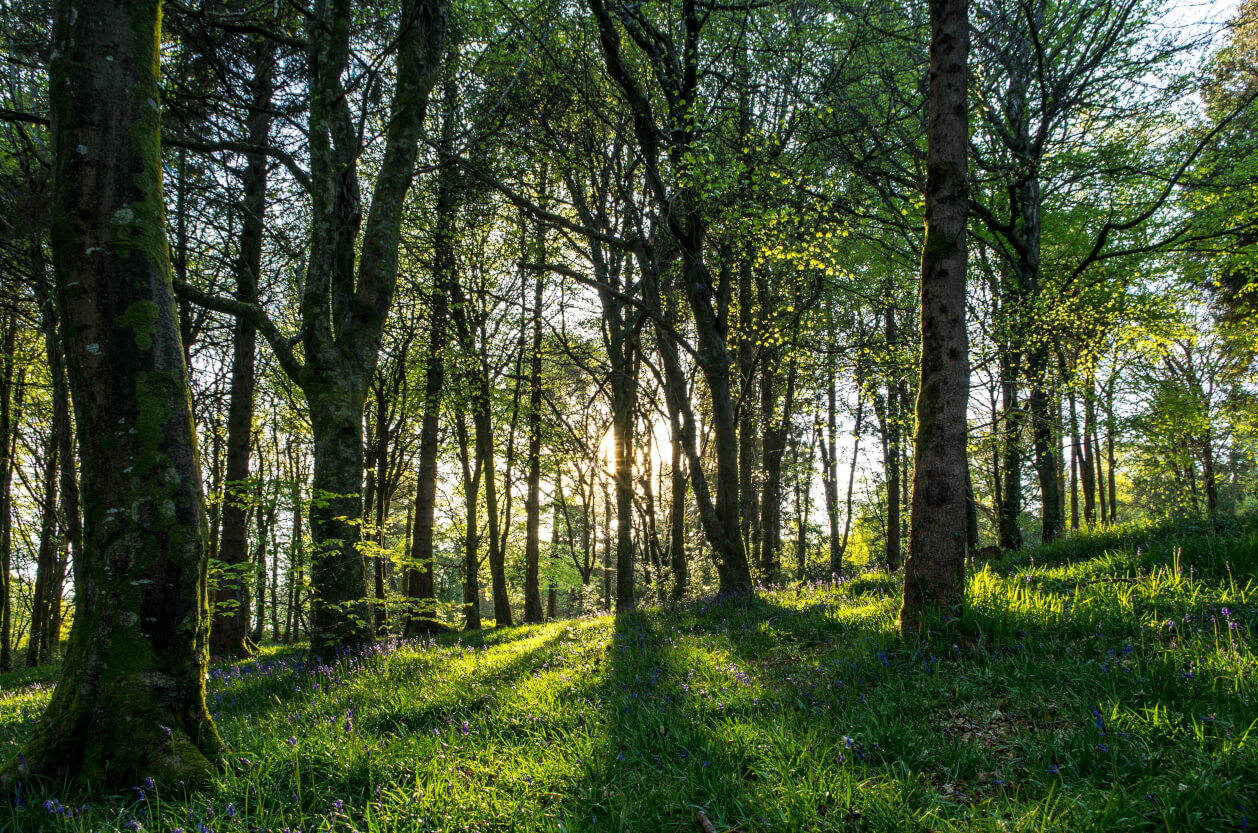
(349, 288)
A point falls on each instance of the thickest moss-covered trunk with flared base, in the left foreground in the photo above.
(131, 699)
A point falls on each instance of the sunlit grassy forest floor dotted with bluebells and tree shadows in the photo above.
(1105, 684)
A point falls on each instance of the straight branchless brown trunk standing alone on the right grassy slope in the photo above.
(935, 568)
